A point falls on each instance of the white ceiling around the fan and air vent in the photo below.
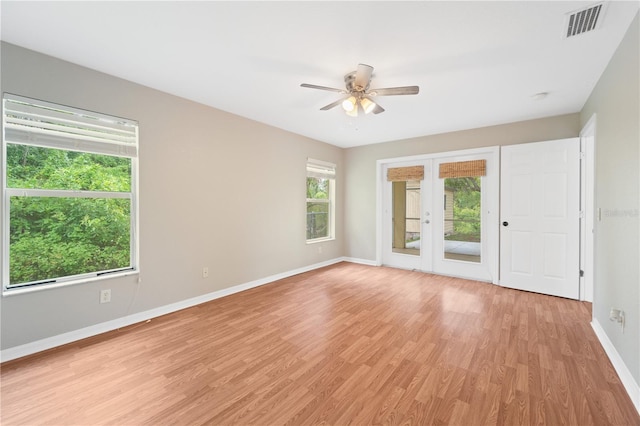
(477, 63)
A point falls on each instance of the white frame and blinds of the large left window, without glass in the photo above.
(85, 143)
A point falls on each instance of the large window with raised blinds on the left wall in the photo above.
(69, 194)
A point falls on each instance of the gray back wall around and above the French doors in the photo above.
(360, 167)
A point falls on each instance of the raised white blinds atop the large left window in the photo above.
(38, 123)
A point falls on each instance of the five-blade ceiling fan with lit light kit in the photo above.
(358, 94)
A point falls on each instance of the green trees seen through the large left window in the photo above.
(81, 220)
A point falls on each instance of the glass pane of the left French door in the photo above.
(406, 217)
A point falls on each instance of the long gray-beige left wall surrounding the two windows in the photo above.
(216, 190)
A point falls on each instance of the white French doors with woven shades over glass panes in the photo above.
(446, 224)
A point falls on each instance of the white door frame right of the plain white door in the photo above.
(587, 207)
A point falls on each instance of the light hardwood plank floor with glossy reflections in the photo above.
(343, 344)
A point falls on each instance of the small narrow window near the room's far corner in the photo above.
(320, 200)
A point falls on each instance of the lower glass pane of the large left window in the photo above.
(54, 237)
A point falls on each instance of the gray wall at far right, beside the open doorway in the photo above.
(615, 101)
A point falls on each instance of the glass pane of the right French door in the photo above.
(462, 224)
